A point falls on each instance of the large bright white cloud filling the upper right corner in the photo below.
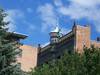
(78, 9)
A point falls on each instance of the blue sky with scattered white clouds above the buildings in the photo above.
(36, 18)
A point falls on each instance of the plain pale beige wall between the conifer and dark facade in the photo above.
(28, 59)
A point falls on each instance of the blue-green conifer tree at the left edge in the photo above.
(9, 49)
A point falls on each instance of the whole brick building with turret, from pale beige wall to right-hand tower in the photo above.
(74, 41)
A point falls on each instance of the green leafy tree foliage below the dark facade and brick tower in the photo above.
(87, 63)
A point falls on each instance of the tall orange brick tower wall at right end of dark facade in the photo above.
(82, 37)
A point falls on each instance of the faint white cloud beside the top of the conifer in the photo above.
(13, 16)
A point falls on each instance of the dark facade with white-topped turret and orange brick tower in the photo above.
(74, 41)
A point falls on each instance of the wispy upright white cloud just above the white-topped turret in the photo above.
(48, 16)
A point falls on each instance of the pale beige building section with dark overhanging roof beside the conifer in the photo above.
(28, 57)
